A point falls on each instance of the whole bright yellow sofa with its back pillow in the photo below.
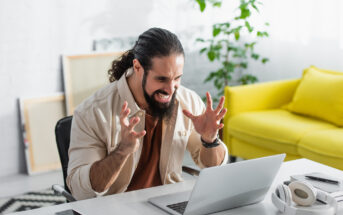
(302, 118)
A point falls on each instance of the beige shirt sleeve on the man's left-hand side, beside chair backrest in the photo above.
(85, 149)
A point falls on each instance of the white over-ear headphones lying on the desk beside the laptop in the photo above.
(304, 195)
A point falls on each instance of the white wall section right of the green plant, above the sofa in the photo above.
(302, 33)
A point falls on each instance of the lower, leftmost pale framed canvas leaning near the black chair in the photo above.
(39, 116)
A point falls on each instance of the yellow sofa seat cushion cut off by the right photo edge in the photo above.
(324, 146)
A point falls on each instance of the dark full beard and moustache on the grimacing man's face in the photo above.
(158, 109)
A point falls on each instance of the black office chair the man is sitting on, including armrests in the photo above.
(62, 133)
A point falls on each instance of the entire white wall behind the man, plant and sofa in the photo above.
(34, 34)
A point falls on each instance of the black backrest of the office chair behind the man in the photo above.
(62, 132)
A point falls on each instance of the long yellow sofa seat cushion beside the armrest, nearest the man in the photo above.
(278, 130)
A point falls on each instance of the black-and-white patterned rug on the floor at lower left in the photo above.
(30, 200)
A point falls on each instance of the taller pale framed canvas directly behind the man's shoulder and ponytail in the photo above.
(85, 74)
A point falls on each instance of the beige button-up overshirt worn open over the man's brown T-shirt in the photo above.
(95, 133)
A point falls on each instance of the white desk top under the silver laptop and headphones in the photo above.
(136, 202)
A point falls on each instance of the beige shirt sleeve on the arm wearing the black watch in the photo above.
(194, 143)
